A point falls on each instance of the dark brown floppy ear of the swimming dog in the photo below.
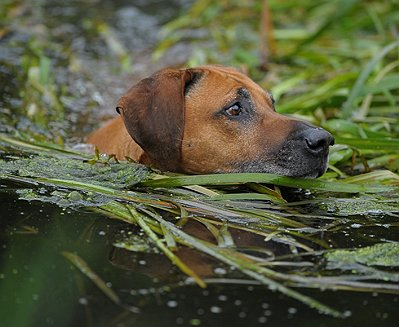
(153, 113)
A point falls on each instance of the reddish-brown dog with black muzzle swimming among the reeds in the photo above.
(211, 119)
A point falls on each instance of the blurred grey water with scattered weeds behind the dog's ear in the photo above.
(97, 50)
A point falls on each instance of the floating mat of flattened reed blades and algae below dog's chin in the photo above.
(88, 185)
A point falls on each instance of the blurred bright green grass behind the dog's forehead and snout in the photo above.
(336, 65)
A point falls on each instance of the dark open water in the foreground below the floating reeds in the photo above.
(39, 287)
